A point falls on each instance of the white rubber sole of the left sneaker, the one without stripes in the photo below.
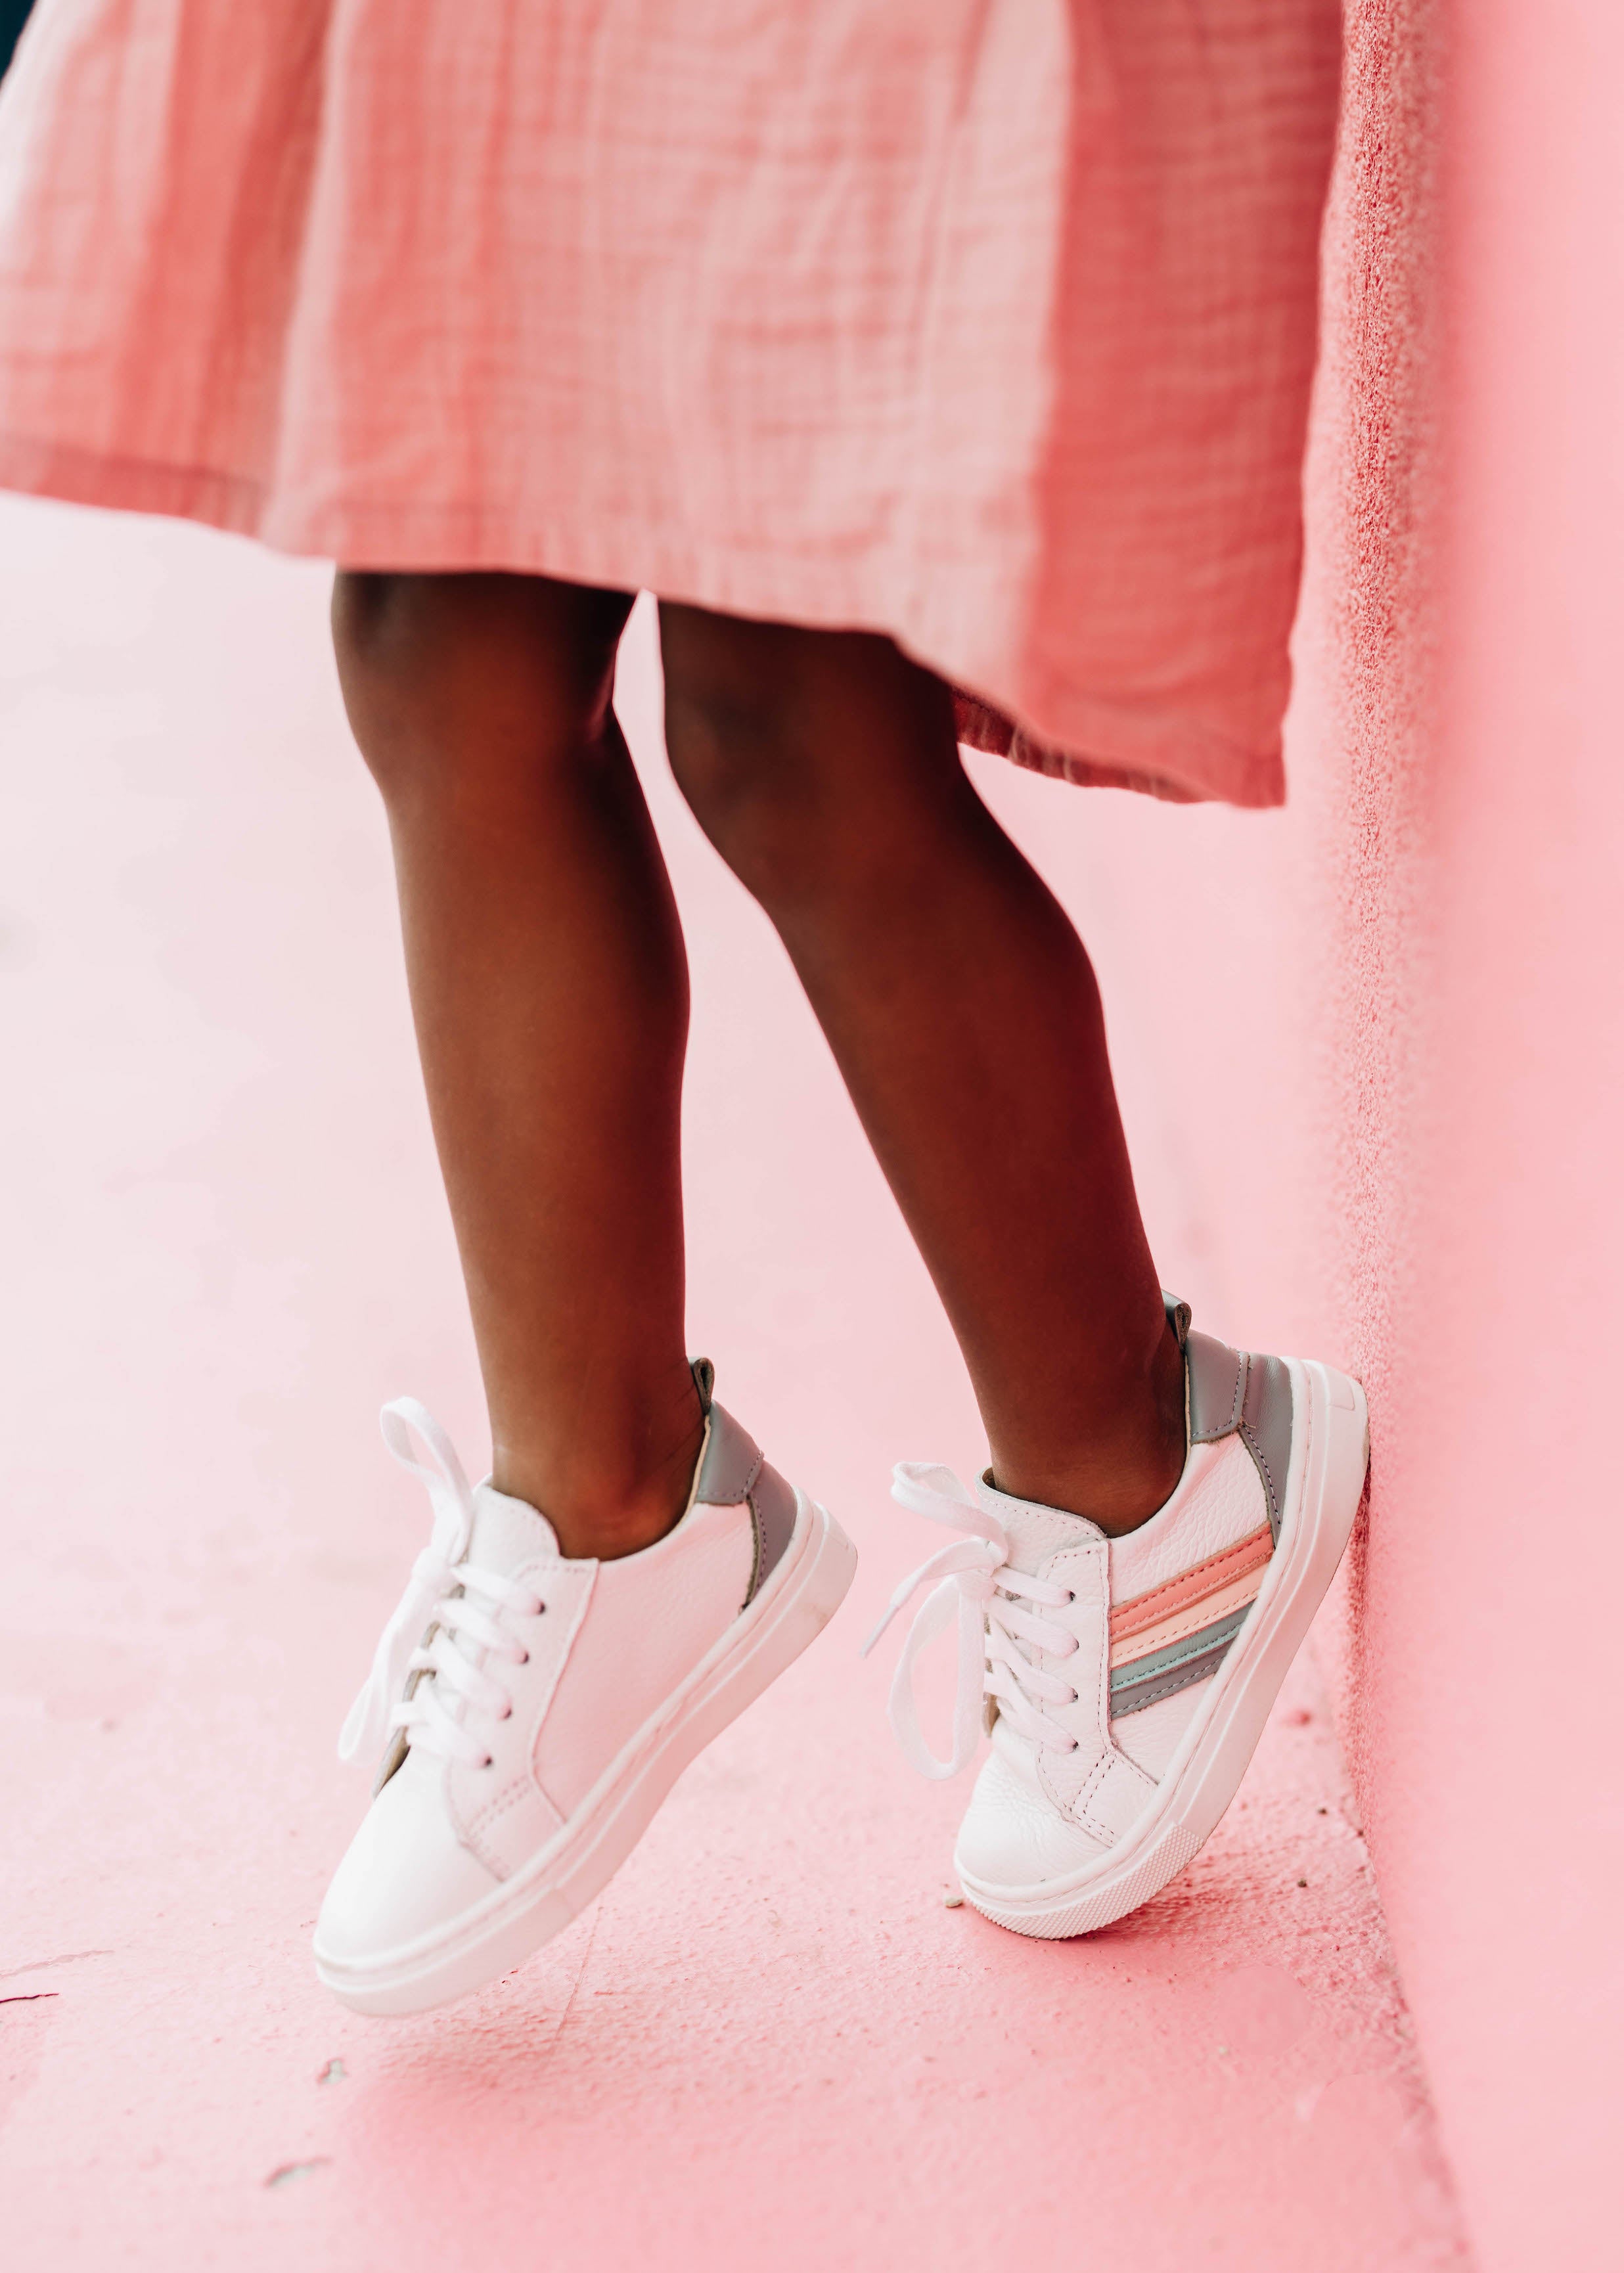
(540, 1901)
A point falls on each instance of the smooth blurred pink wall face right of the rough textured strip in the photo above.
(1493, 1720)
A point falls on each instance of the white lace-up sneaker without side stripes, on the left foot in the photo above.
(538, 1710)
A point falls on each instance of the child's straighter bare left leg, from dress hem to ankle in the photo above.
(549, 990)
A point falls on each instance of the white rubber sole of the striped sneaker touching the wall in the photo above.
(1323, 1494)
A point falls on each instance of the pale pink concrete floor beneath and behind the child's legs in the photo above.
(770, 2042)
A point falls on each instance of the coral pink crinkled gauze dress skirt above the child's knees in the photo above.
(979, 322)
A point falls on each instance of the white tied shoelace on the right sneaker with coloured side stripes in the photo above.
(975, 1579)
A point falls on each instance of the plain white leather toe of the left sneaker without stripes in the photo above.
(404, 1874)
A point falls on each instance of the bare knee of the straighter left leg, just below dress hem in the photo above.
(463, 676)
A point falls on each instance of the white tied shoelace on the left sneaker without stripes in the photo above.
(433, 1690)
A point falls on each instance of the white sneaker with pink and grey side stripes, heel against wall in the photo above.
(1127, 1681)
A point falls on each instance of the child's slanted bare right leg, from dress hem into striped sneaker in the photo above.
(968, 1026)
